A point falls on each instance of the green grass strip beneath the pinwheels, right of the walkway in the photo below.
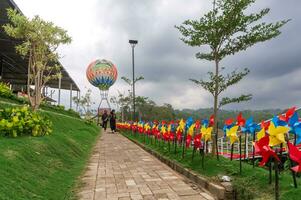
(251, 184)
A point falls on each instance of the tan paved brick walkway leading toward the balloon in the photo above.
(121, 170)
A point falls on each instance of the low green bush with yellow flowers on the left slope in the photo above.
(22, 121)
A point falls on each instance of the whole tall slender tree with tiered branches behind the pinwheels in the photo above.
(227, 29)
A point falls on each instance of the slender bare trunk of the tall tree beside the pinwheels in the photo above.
(215, 108)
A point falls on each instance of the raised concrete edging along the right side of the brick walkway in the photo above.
(220, 192)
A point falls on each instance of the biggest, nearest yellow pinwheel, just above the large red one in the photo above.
(276, 134)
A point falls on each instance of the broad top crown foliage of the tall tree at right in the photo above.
(227, 29)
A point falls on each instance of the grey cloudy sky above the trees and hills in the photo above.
(102, 28)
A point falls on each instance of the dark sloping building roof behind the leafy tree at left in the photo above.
(14, 67)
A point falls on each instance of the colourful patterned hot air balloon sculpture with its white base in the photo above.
(102, 74)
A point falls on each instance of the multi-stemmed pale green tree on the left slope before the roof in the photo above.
(40, 40)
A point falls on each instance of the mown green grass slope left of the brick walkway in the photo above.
(46, 167)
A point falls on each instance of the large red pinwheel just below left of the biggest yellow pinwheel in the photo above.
(262, 148)
